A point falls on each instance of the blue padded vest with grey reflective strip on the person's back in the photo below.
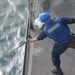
(57, 30)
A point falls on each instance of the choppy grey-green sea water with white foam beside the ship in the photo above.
(13, 26)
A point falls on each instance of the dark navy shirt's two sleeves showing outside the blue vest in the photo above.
(65, 21)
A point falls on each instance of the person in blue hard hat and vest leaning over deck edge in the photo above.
(58, 30)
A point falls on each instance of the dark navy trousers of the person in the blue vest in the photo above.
(58, 49)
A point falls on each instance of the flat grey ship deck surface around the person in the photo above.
(42, 63)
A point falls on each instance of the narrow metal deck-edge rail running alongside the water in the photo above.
(27, 46)
